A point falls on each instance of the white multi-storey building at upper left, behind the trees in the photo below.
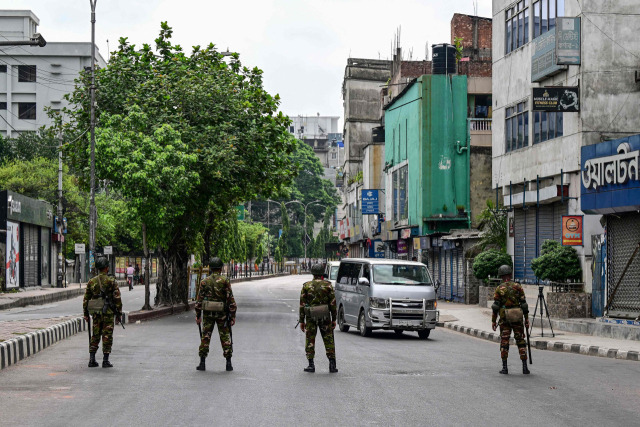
(34, 78)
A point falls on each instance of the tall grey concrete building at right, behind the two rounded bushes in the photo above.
(536, 154)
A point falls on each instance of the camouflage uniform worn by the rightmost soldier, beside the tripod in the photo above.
(510, 295)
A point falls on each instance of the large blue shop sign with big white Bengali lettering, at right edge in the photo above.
(610, 177)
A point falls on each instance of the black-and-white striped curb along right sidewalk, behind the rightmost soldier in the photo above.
(587, 350)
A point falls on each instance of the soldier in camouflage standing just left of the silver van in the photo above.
(318, 293)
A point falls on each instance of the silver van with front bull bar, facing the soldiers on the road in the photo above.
(385, 294)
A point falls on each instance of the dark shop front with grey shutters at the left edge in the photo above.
(26, 248)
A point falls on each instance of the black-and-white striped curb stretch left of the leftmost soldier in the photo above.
(19, 348)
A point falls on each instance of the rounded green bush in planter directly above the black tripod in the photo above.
(557, 263)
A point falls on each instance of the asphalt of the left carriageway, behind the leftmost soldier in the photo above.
(131, 301)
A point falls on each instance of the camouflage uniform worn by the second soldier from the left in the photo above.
(216, 288)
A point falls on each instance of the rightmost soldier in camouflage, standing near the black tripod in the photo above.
(510, 295)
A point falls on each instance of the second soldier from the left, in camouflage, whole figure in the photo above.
(216, 288)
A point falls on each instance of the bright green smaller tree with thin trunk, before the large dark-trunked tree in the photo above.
(154, 172)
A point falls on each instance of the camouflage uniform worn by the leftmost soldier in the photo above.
(102, 322)
